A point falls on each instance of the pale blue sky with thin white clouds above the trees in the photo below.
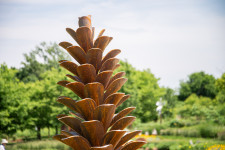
(172, 38)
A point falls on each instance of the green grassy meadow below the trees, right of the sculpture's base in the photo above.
(179, 134)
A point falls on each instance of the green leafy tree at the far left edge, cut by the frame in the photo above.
(13, 101)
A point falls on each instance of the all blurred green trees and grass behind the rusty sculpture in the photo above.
(28, 106)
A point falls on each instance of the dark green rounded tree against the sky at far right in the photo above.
(200, 83)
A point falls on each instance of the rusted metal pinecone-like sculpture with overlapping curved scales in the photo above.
(94, 124)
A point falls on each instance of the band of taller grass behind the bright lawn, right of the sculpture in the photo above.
(188, 129)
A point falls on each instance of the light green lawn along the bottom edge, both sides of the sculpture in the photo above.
(161, 142)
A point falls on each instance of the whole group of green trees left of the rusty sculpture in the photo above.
(33, 98)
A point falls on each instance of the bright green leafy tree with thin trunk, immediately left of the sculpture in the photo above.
(43, 106)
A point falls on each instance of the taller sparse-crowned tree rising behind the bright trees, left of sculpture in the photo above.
(43, 58)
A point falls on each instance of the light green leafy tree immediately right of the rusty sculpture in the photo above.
(144, 90)
